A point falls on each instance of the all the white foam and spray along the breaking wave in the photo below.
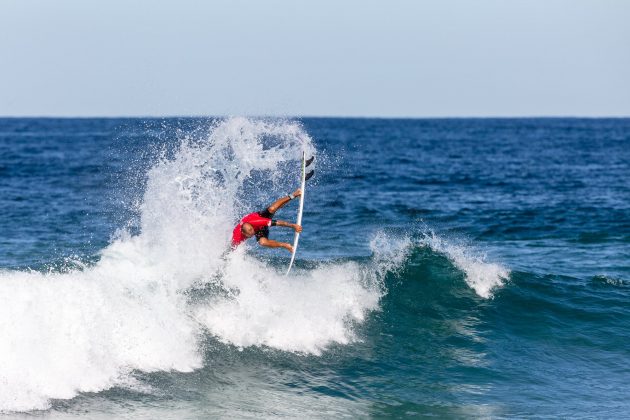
(153, 294)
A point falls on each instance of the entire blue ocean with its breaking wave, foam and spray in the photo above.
(454, 268)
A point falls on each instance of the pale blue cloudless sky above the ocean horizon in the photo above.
(317, 58)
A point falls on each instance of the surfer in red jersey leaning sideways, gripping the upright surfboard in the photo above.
(258, 224)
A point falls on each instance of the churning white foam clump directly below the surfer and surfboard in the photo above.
(304, 312)
